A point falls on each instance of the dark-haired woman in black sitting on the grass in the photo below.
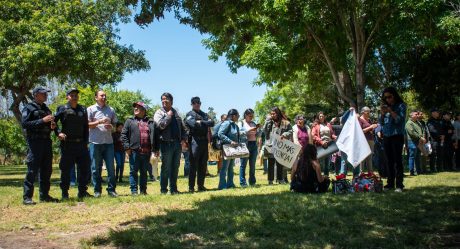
(306, 175)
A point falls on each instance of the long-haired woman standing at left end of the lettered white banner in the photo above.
(279, 125)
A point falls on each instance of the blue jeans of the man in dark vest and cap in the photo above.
(138, 163)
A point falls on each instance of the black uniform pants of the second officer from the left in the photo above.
(74, 153)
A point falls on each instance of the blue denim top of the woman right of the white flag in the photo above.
(394, 126)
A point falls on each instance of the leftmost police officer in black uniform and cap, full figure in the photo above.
(37, 121)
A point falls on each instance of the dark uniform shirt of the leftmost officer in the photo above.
(32, 121)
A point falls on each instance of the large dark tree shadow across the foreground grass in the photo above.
(418, 218)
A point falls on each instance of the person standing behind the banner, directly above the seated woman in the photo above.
(323, 136)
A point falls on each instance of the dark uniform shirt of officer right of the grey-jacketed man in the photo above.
(199, 131)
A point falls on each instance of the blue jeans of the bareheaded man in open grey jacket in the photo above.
(170, 160)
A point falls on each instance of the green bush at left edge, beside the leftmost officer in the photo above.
(12, 144)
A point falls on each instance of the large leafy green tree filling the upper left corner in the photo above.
(62, 41)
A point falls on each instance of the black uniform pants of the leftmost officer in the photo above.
(39, 163)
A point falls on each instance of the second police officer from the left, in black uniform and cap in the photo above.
(74, 140)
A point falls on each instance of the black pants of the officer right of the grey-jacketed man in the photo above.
(198, 162)
